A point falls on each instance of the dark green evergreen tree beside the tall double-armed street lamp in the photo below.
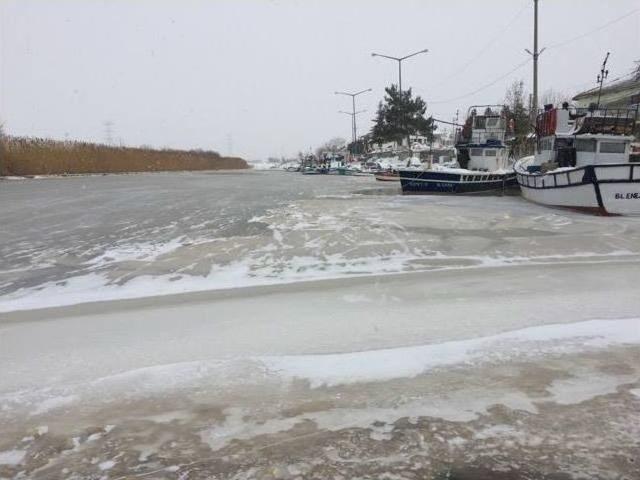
(399, 116)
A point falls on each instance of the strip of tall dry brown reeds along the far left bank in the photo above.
(37, 156)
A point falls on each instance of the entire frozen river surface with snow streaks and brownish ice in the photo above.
(373, 335)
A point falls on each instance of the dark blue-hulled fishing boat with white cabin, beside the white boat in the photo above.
(483, 166)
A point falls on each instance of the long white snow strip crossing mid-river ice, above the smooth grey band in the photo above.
(95, 287)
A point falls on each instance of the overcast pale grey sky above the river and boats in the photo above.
(259, 76)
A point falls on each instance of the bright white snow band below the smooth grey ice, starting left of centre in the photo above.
(387, 364)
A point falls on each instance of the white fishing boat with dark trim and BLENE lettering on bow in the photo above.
(582, 161)
